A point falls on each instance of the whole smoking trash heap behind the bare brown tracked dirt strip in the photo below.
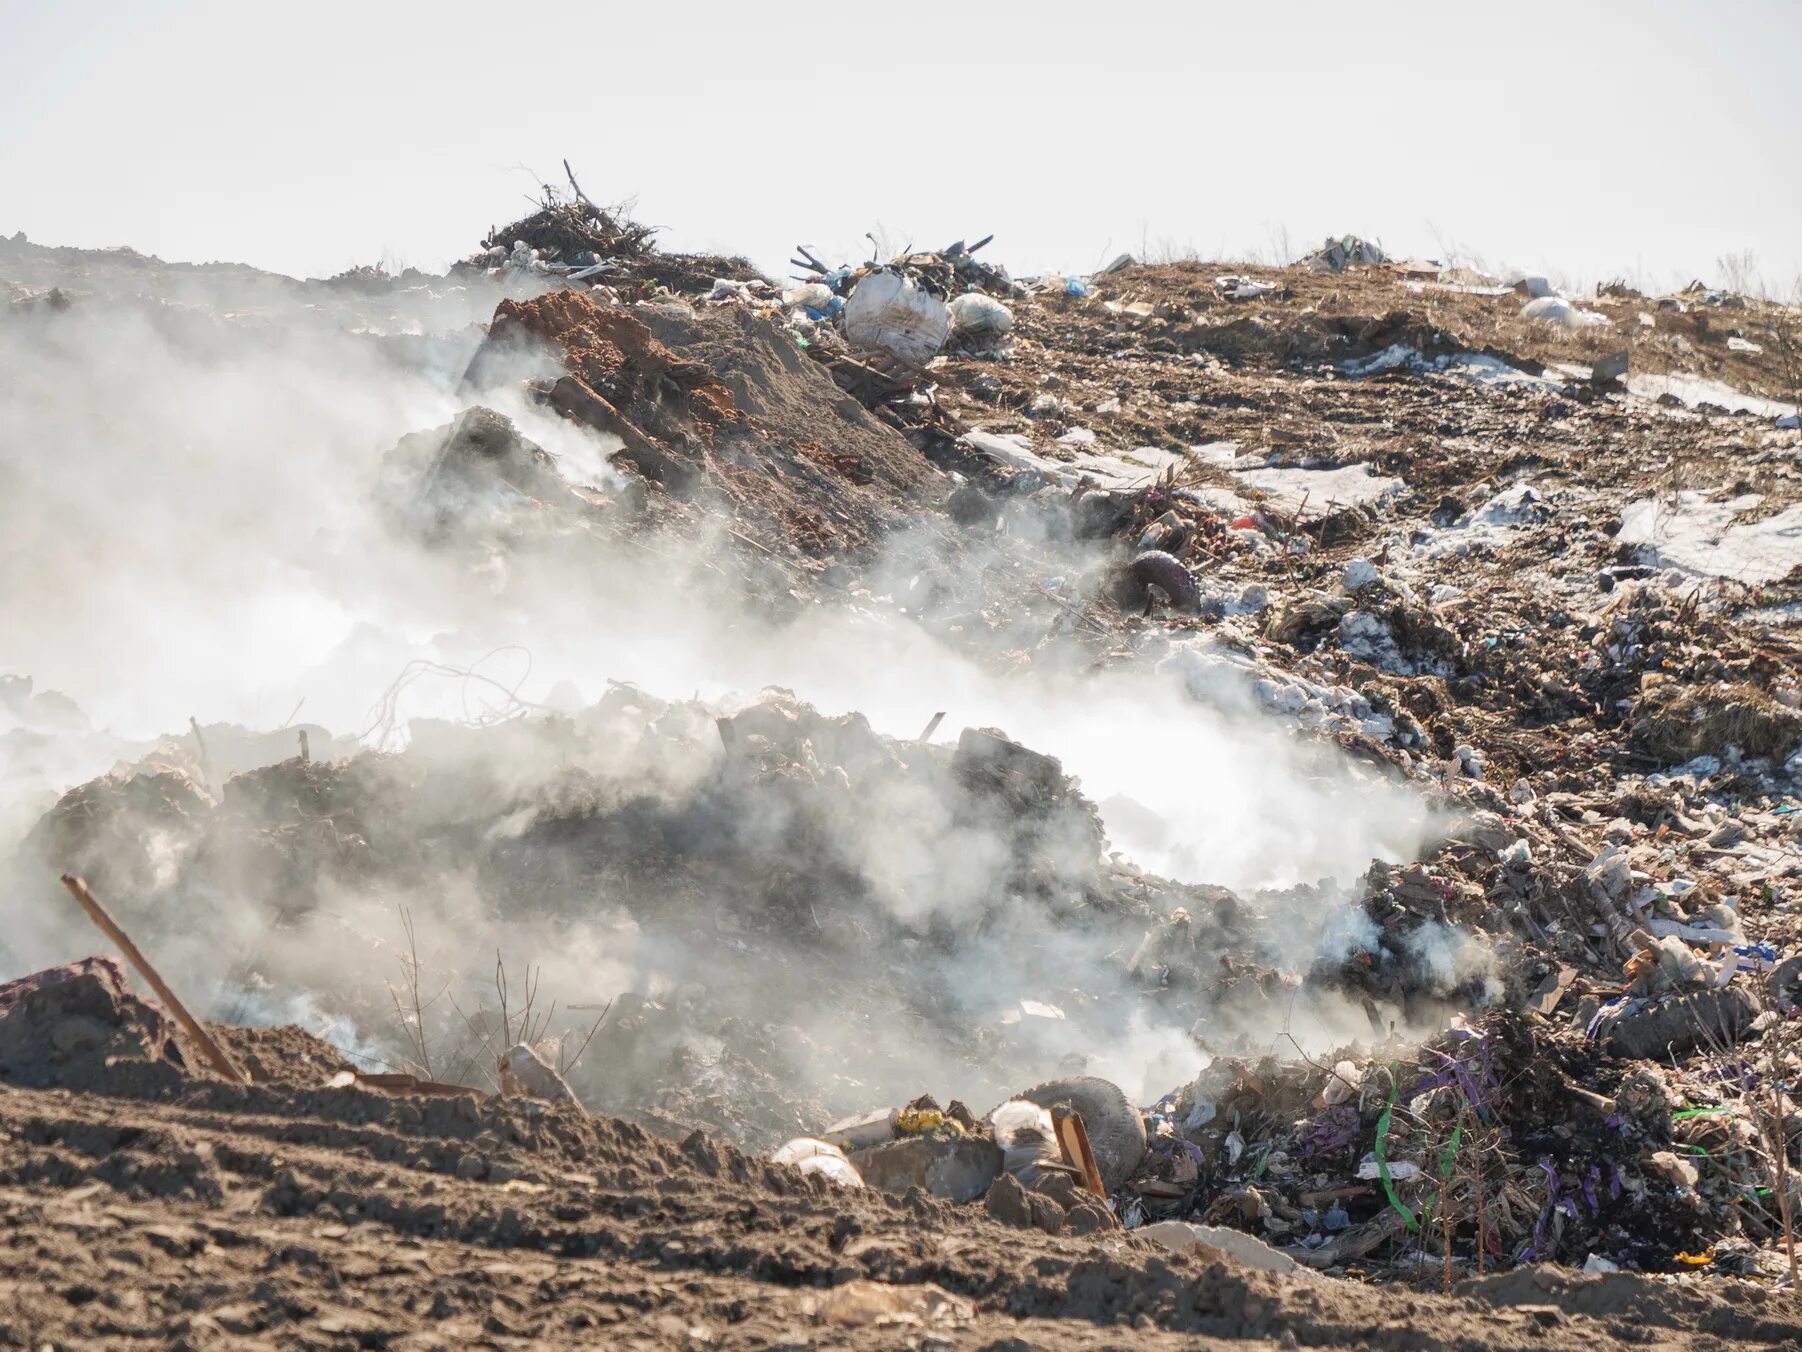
(1565, 1034)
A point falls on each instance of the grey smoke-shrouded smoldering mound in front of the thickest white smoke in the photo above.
(787, 911)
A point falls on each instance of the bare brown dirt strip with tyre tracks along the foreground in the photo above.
(214, 1216)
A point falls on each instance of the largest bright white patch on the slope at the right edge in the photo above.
(1707, 540)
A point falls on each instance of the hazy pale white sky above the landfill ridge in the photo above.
(1641, 138)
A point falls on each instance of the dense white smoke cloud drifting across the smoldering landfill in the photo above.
(190, 525)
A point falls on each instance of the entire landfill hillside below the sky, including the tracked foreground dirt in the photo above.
(1536, 565)
